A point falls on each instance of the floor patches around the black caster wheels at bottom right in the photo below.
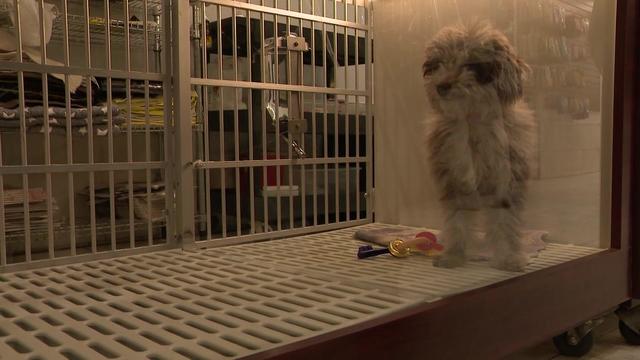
(608, 345)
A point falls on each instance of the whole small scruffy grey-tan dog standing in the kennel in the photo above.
(480, 143)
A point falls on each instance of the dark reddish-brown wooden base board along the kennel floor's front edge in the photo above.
(487, 323)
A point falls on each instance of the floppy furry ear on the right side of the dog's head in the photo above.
(511, 74)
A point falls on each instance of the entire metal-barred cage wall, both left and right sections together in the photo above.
(265, 188)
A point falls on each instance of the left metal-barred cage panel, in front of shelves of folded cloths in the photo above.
(57, 162)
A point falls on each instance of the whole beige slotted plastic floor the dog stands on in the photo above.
(220, 303)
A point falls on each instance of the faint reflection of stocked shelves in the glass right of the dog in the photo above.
(564, 87)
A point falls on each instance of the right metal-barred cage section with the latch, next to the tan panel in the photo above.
(288, 190)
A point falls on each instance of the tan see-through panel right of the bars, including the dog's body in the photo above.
(552, 58)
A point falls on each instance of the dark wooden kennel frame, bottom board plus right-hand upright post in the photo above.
(487, 323)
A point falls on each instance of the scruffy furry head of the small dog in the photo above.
(471, 65)
